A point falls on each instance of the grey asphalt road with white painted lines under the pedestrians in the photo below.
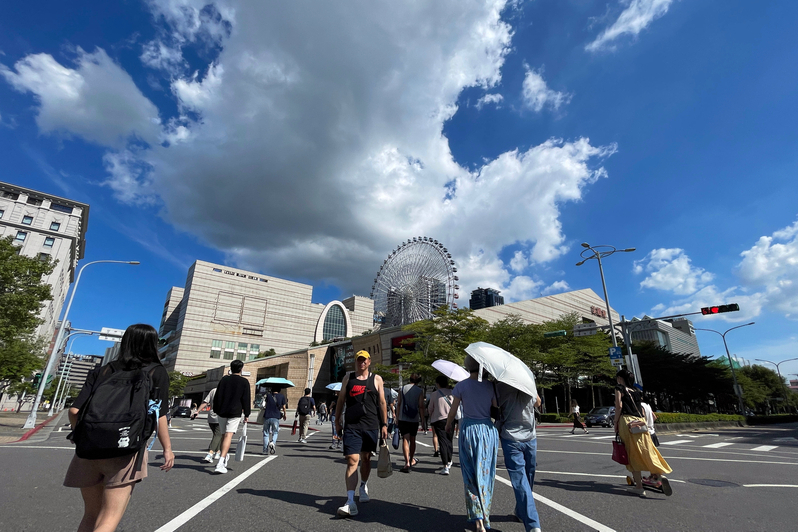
(740, 479)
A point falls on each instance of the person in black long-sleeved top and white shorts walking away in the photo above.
(232, 399)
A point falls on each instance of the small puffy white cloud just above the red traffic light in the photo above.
(670, 269)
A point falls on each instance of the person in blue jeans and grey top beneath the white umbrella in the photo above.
(517, 435)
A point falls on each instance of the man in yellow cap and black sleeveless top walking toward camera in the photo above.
(365, 416)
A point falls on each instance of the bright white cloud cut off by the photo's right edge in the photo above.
(771, 265)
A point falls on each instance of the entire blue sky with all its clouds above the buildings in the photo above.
(307, 140)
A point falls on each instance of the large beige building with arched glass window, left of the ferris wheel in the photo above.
(225, 313)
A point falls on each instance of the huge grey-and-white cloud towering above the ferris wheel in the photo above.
(312, 155)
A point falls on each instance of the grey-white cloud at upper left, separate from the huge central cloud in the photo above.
(97, 100)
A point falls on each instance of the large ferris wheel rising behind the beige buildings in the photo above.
(417, 278)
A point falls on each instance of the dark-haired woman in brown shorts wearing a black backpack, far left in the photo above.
(110, 461)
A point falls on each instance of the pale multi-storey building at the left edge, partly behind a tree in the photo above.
(43, 225)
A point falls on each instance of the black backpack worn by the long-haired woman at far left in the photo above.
(117, 418)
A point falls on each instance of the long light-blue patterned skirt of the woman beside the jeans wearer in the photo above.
(479, 447)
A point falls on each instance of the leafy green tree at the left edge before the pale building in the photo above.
(23, 293)
